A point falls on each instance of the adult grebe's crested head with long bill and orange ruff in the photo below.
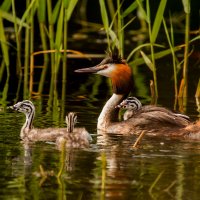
(114, 67)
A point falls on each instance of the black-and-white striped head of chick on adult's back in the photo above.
(131, 103)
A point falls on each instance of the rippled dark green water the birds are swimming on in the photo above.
(162, 168)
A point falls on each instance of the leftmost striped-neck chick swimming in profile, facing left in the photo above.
(28, 132)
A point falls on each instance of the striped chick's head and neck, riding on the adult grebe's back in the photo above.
(131, 105)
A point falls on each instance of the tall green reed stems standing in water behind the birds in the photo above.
(52, 20)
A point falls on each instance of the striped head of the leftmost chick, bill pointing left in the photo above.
(25, 107)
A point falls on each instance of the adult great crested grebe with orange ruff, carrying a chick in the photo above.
(155, 120)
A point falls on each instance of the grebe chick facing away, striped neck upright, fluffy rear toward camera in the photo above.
(74, 137)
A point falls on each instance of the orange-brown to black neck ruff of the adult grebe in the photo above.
(122, 82)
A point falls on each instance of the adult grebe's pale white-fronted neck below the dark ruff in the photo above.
(109, 112)
